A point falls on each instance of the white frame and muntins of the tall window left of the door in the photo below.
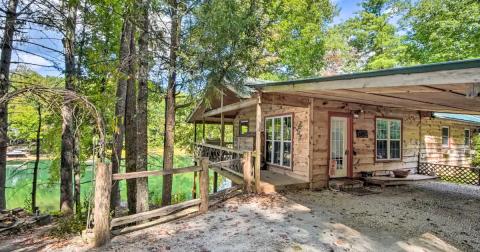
(281, 140)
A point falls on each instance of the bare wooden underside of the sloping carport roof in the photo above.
(449, 87)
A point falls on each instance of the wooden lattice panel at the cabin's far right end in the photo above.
(451, 173)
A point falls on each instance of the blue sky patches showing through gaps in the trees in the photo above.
(347, 9)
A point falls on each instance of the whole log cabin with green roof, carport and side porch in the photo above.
(309, 132)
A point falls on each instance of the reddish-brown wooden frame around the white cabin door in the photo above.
(349, 141)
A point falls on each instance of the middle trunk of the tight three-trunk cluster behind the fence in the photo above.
(131, 127)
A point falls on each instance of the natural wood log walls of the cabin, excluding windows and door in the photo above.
(420, 137)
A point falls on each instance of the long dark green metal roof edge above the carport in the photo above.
(450, 65)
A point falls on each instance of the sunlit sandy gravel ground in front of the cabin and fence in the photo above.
(432, 216)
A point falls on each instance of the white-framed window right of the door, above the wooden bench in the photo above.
(388, 139)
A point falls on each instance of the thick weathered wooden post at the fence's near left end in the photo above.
(101, 213)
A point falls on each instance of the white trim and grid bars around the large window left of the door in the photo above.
(265, 118)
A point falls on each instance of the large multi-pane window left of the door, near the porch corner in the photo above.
(278, 140)
